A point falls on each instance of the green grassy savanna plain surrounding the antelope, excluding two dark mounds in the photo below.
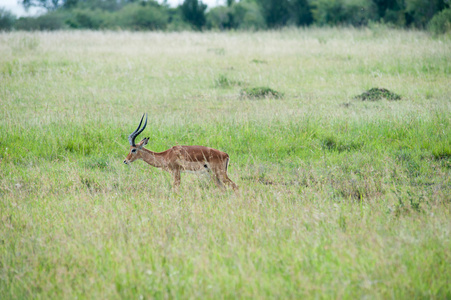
(339, 198)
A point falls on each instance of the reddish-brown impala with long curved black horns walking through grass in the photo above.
(195, 159)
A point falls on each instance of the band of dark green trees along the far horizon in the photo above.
(233, 15)
